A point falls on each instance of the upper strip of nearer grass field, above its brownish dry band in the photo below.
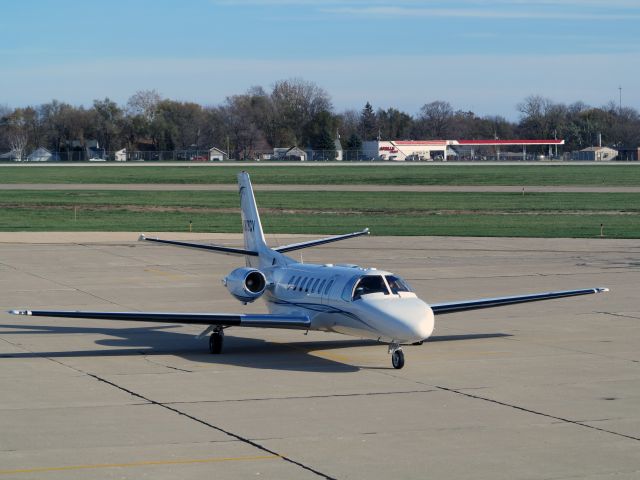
(385, 202)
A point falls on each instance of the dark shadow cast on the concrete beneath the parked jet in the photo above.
(238, 351)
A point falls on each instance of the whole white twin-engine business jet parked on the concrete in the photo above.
(342, 298)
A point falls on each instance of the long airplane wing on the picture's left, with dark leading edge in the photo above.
(296, 322)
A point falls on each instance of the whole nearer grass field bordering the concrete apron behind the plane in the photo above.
(386, 213)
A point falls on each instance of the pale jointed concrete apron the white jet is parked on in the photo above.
(547, 390)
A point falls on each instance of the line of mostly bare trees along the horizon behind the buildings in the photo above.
(296, 112)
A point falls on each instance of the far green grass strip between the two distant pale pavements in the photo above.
(361, 174)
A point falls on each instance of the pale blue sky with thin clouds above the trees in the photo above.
(480, 56)
